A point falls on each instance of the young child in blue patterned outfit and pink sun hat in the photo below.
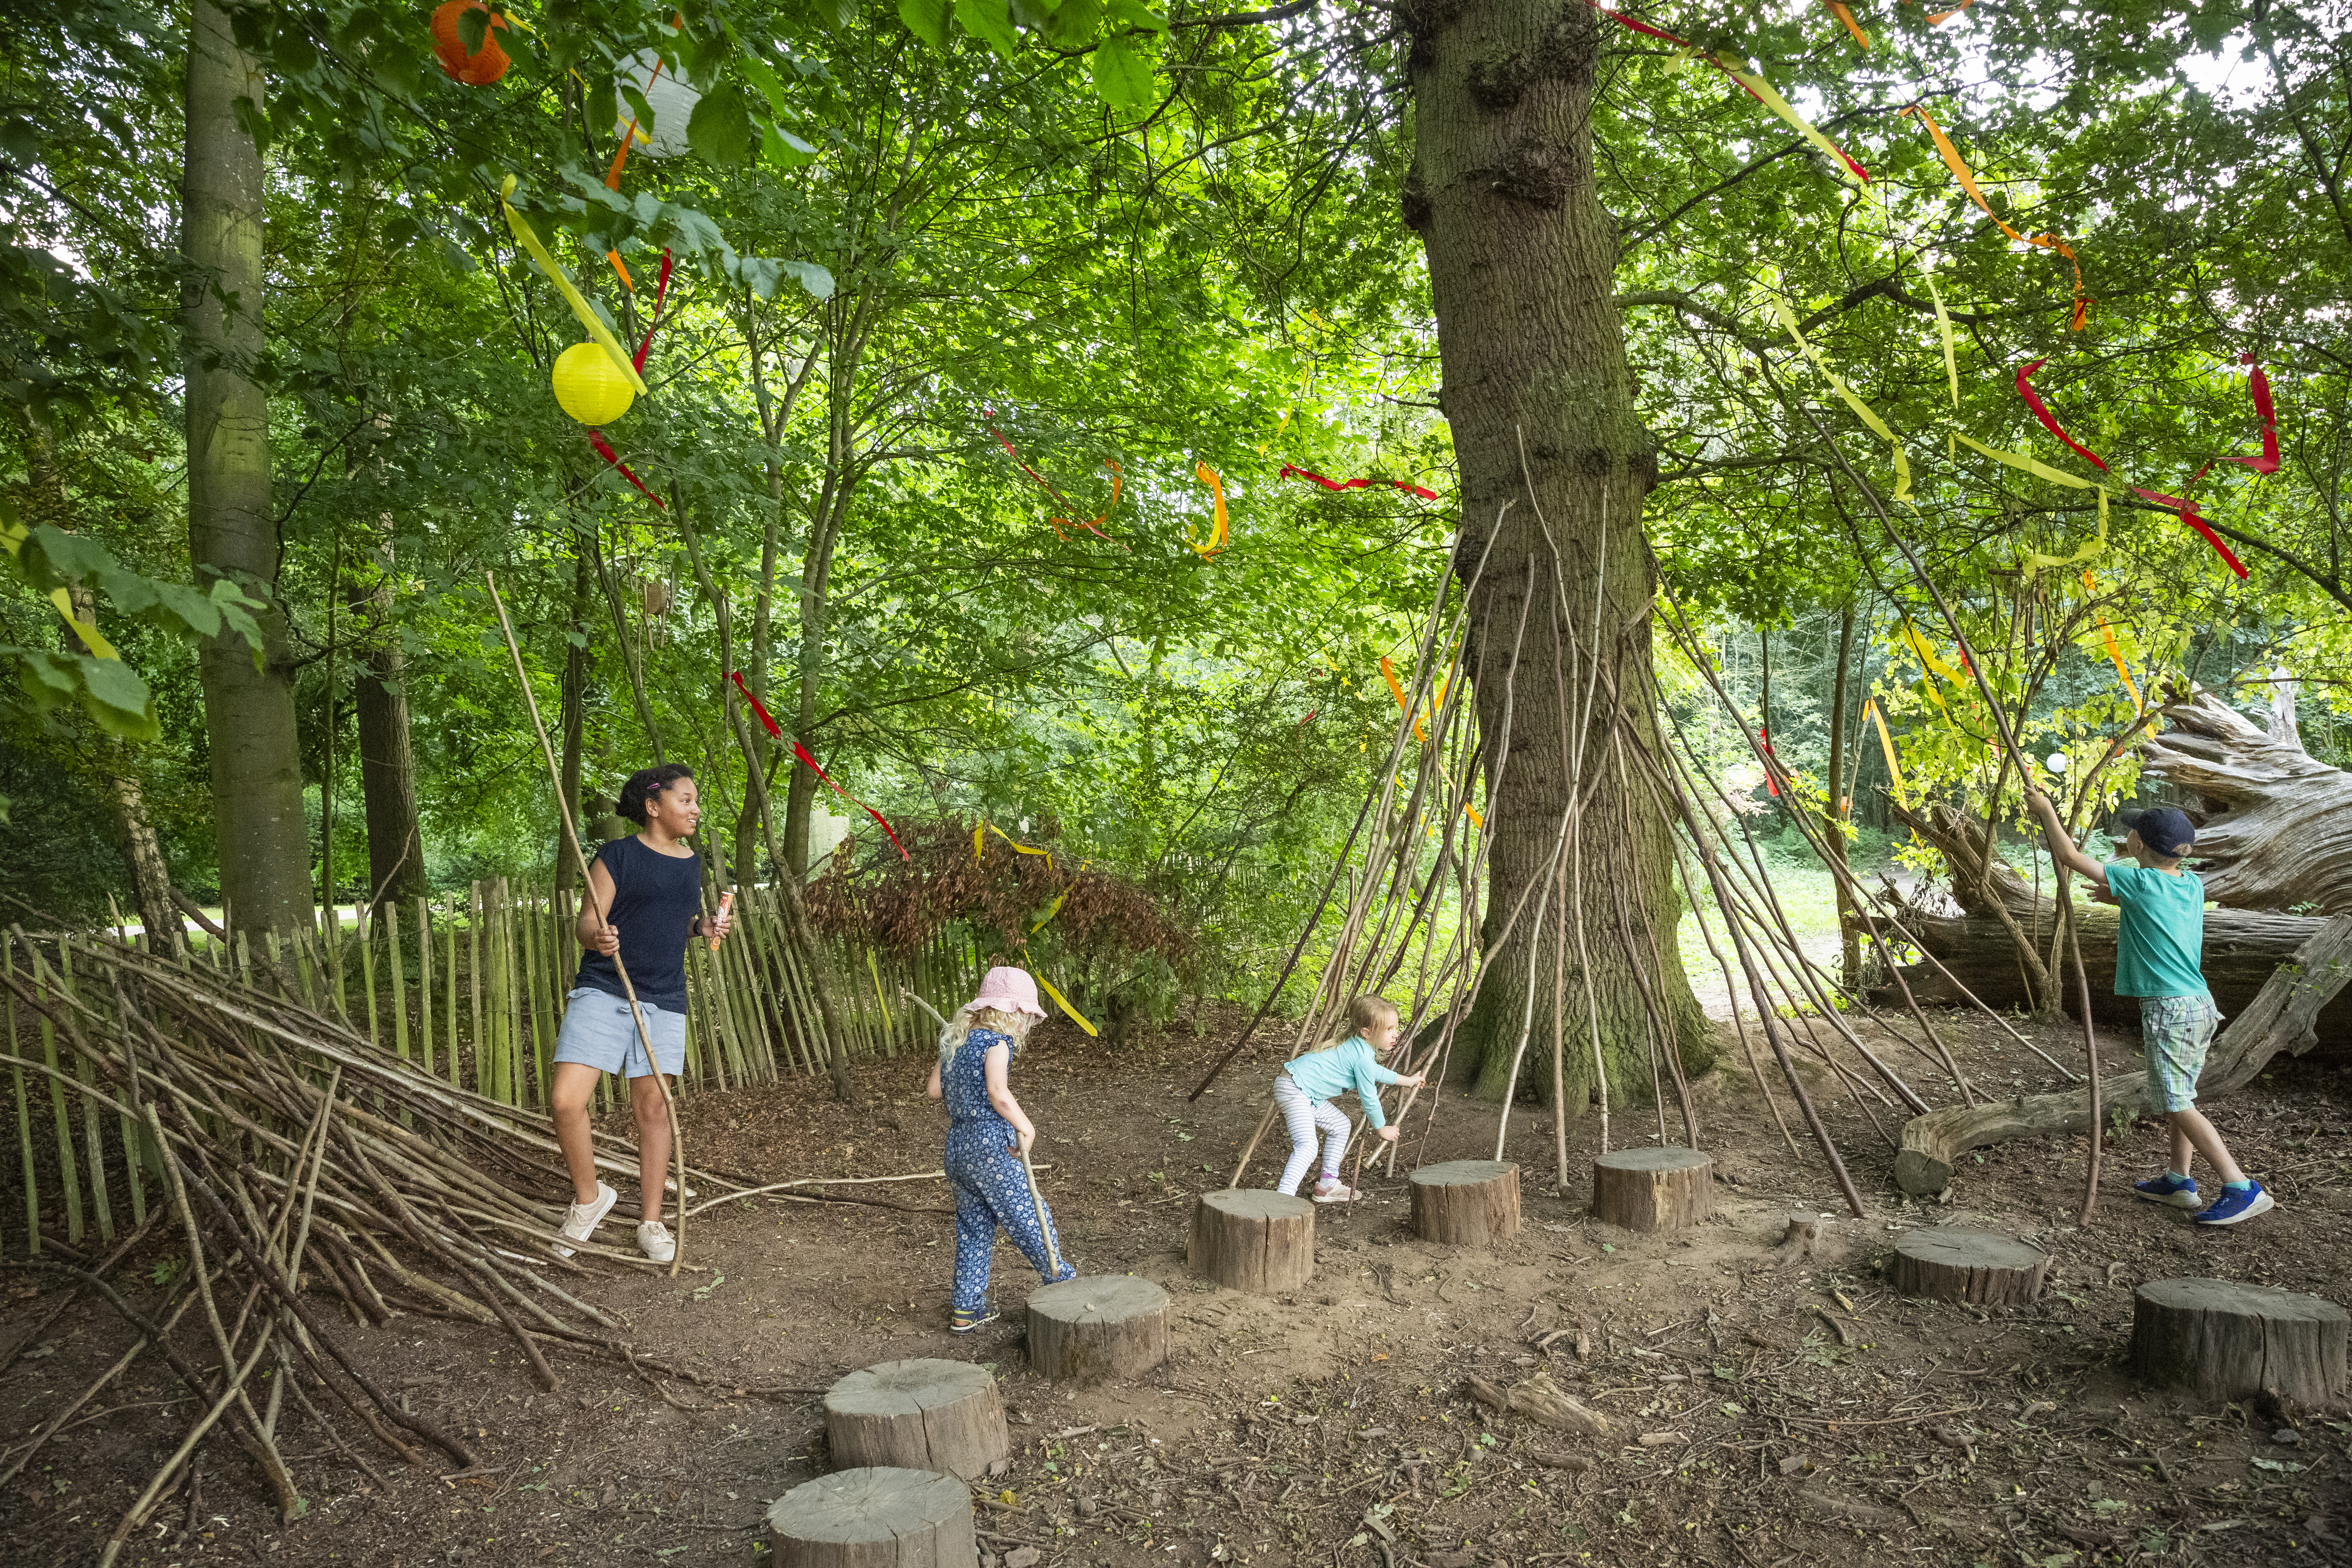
(987, 1137)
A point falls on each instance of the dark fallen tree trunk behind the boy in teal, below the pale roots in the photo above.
(1979, 949)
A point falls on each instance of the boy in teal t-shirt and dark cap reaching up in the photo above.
(2158, 960)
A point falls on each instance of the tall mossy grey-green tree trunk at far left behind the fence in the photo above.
(248, 711)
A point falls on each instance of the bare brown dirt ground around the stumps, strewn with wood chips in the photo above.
(1763, 1414)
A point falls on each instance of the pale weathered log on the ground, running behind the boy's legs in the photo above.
(2278, 1019)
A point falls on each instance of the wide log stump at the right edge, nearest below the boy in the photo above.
(2226, 1341)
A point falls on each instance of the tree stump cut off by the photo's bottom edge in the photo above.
(876, 1517)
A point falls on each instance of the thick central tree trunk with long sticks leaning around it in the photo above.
(1539, 394)
